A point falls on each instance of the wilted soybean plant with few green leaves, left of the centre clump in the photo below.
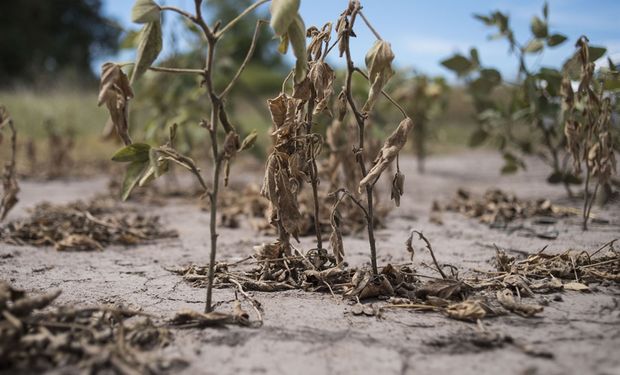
(146, 162)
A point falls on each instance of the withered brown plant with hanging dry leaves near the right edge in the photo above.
(587, 126)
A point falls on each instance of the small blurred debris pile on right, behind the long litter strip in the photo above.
(497, 208)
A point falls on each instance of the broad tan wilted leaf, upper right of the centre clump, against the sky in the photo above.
(379, 64)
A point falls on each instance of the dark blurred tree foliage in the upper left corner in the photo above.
(43, 38)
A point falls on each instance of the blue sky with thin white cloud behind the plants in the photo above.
(422, 33)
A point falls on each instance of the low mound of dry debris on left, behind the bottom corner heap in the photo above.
(81, 225)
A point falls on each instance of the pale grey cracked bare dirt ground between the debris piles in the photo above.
(313, 333)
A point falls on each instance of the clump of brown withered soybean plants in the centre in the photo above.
(293, 158)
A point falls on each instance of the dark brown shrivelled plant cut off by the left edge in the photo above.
(9, 175)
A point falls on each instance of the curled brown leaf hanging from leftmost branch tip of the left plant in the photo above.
(115, 91)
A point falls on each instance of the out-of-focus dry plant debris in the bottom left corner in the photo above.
(102, 339)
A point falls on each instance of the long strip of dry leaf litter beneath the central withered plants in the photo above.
(504, 291)
